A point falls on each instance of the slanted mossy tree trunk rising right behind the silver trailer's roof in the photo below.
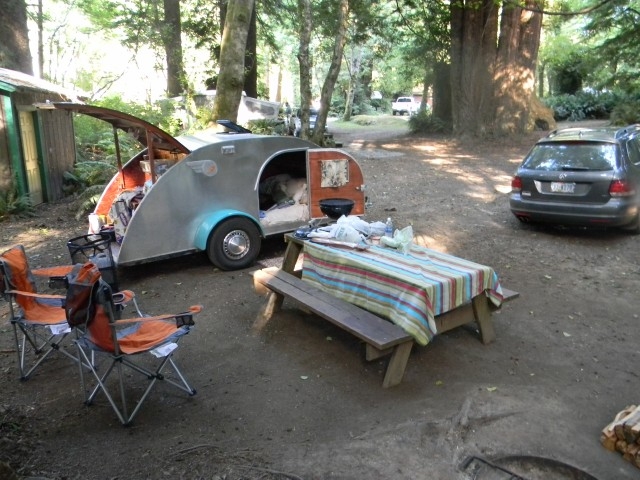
(232, 54)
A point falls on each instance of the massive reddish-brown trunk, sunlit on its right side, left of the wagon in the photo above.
(493, 69)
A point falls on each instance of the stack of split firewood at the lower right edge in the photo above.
(623, 434)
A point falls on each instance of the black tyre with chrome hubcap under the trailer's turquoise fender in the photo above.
(234, 244)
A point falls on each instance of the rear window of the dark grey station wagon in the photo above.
(572, 156)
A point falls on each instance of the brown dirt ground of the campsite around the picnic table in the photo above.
(299, 401)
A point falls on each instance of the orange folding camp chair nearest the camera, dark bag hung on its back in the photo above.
(122, 342)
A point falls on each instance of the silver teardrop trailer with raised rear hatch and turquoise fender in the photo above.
(221, 193)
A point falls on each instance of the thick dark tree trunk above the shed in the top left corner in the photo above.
(14, 36)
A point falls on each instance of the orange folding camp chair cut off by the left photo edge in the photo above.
(39, 322)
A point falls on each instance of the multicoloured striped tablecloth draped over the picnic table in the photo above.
(410, 290)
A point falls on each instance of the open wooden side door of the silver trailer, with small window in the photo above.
(334, 174)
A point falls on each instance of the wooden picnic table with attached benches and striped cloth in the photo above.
(361, 290)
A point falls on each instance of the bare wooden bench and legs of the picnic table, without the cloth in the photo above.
(381, 337)
